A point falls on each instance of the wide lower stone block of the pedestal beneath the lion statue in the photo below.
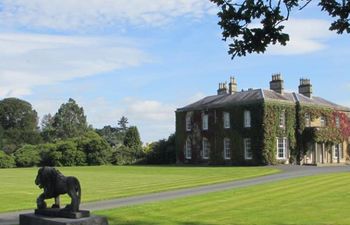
(33, 219)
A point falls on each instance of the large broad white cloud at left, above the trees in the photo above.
(28, 60)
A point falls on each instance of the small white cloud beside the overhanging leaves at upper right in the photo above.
(306, 36)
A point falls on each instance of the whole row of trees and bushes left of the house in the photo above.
(66, 139)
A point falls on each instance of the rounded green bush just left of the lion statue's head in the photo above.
(27, 156)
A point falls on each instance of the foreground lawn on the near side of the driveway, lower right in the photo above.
(317, 200)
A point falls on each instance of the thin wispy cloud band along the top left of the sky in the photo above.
(71, 15)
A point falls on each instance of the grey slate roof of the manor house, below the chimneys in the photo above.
(250, 96)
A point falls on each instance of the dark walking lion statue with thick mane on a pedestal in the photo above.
(54, 184)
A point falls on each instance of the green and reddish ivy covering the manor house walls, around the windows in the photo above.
(264, 131)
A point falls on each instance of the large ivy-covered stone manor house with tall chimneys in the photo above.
(260, 127)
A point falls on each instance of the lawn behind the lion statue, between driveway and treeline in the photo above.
(18, 191)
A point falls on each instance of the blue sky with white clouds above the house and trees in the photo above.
(144, 59)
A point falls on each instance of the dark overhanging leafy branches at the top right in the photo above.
(238, 17)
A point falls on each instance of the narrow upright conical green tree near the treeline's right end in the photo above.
(132, 140)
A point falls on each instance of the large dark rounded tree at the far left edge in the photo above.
(19, 124)
